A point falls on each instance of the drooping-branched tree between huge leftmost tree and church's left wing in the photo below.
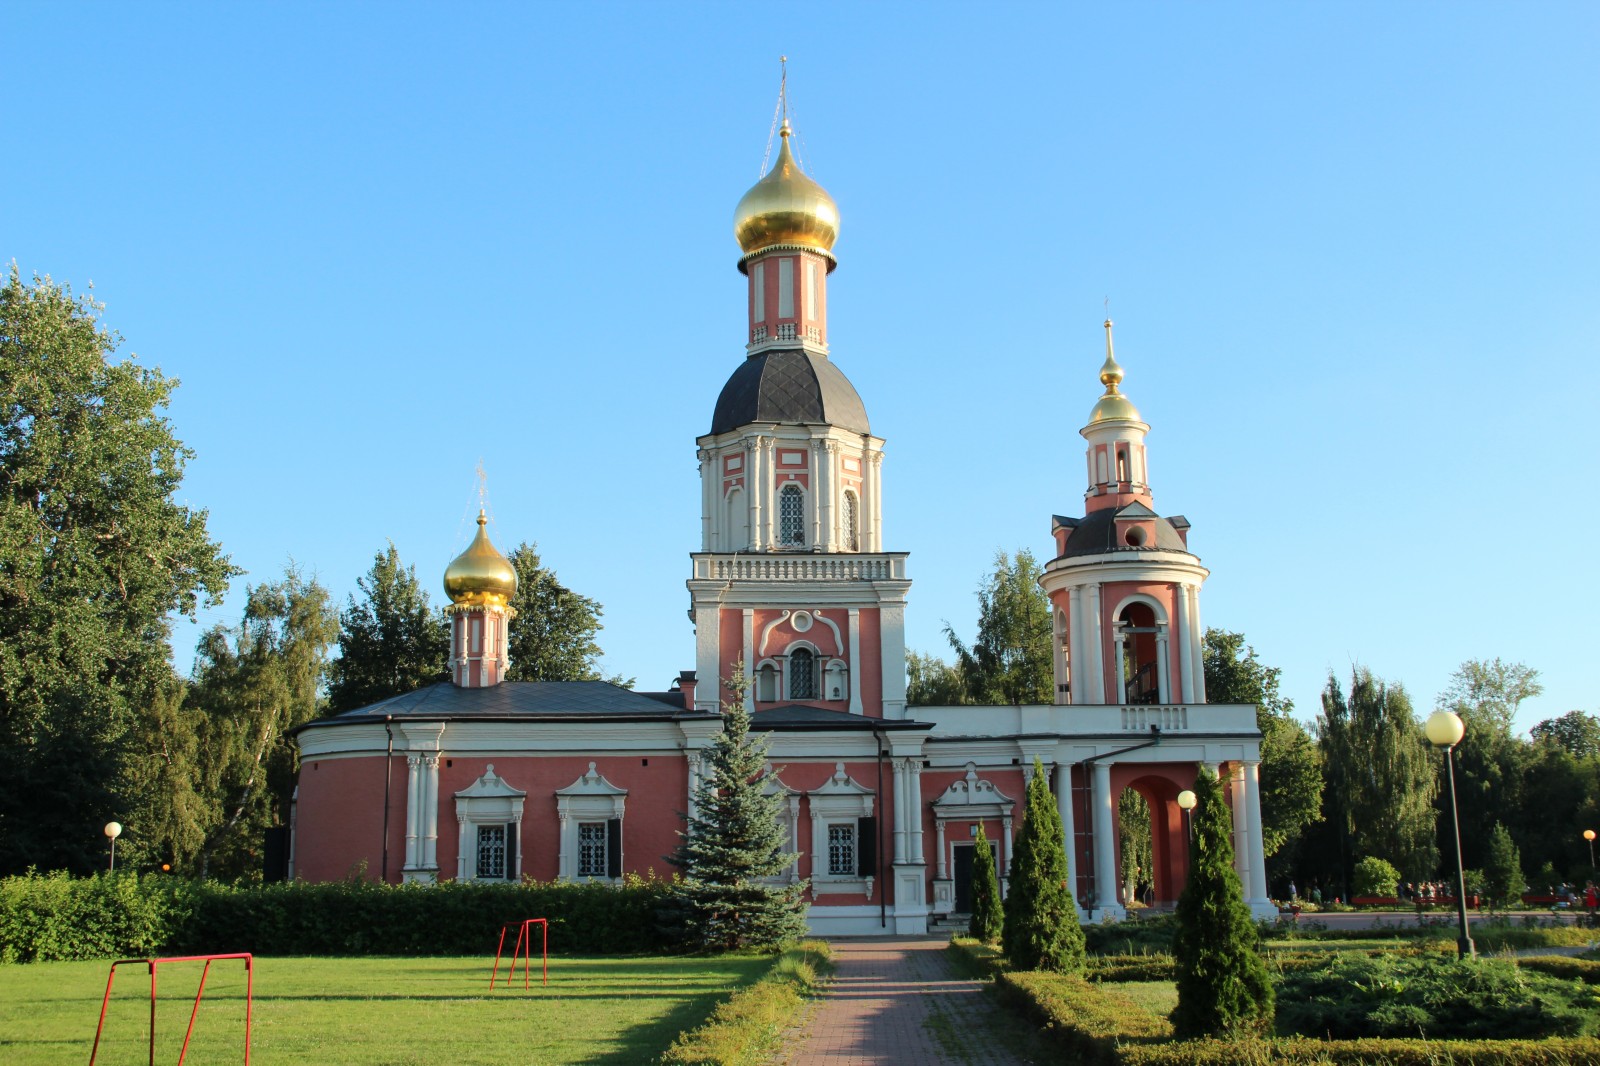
(255, 684)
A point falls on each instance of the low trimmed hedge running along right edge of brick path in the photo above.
(1087, 1022)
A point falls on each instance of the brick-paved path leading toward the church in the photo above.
(897, 1001)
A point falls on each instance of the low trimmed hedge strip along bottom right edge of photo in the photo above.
(1554, 1052)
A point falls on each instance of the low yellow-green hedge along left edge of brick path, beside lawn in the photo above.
(750, 1025)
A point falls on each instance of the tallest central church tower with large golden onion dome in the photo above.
(793, 579)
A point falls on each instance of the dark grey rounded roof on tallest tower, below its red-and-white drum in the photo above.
(790, 387)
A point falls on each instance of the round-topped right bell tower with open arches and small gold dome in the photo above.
(1124, 587)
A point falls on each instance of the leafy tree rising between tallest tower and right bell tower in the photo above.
(1012, 660)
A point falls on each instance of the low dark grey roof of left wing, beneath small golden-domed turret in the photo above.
(521, 700)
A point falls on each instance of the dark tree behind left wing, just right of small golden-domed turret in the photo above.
(553, 638)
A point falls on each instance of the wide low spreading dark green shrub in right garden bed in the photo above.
(1430, 996)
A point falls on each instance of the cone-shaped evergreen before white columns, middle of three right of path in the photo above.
(1042, 928)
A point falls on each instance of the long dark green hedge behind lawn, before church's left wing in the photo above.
(57, 918)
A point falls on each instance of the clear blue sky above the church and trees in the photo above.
(1353, 252)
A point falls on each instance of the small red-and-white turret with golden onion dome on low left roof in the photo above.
(479, 583)
